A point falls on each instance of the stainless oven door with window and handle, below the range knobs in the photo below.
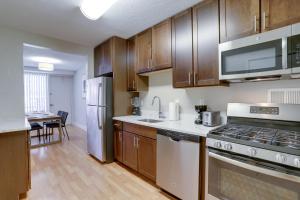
(233, 177)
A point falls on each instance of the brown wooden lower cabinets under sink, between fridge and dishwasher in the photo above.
(138, 148)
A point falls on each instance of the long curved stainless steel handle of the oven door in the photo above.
(255, 168)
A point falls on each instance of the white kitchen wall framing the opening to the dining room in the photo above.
(11, 66)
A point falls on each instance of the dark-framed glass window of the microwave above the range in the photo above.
(256, 58)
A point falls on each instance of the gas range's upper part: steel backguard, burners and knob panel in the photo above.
(268, 132)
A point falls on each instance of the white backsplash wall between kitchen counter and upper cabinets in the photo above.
(215, 97)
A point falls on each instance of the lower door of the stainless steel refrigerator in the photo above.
(96, 138)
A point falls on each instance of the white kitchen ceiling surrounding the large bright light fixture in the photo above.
(62, 19)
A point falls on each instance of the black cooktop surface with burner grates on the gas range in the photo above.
(268, 138)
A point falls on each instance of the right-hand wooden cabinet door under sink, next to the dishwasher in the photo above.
(147, 157)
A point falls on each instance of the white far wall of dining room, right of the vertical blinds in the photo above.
(61, 94)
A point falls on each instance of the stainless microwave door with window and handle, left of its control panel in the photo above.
(259, 56)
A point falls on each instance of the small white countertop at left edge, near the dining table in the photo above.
(14, 125)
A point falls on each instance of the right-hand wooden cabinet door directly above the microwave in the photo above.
(278, 13)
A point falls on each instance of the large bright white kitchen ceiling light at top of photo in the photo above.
(94, 9)
